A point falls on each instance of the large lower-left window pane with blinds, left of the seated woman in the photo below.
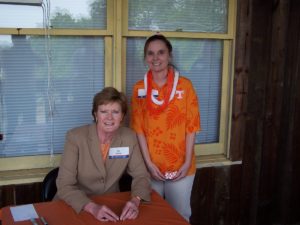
(45, 93)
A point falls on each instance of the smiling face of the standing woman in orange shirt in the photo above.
(157, 56)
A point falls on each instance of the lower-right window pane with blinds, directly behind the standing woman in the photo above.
(198, 60)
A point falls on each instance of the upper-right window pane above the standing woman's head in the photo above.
(179, 15)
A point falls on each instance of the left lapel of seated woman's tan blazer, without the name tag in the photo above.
(94, 148)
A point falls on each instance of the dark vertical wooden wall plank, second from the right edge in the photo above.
(273, 111)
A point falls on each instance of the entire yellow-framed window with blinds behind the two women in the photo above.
(55, 56)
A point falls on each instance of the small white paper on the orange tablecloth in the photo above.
(23, 212)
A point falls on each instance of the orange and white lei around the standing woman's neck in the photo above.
(172, 81)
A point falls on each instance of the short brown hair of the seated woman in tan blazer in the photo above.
(109, 95)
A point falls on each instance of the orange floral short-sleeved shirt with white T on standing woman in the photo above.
(166, 131)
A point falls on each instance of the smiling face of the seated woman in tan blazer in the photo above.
(109, 117)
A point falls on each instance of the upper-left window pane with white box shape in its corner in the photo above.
(63, 14)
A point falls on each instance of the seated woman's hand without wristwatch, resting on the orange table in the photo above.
(101, 212)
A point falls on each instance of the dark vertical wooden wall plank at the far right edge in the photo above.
(287, 204)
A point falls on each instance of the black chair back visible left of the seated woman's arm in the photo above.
(49, 185)
